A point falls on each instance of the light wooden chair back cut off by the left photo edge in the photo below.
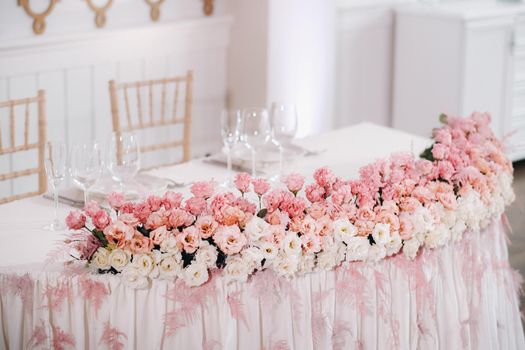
(14, 147)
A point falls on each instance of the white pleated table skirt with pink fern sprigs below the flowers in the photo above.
(463, 296)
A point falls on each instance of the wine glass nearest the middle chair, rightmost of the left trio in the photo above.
(123, 157)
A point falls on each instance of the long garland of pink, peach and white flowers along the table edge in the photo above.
(397, 206)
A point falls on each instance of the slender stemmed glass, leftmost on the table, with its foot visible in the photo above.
(55, 165)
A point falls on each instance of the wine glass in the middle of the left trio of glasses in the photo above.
(85, 166)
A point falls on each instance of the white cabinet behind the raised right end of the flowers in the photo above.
(457, 58)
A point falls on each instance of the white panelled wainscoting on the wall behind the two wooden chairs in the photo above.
(74, 70)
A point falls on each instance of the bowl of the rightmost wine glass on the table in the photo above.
(283, 122)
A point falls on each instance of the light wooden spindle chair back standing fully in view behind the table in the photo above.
(149, 120)
